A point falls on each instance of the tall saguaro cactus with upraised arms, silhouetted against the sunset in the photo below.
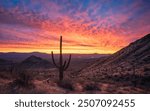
(62, 65)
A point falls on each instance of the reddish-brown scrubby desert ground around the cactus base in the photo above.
(45, 80)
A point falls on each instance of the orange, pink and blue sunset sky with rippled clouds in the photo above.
(87, 26)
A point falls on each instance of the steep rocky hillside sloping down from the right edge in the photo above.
(136, 56)
